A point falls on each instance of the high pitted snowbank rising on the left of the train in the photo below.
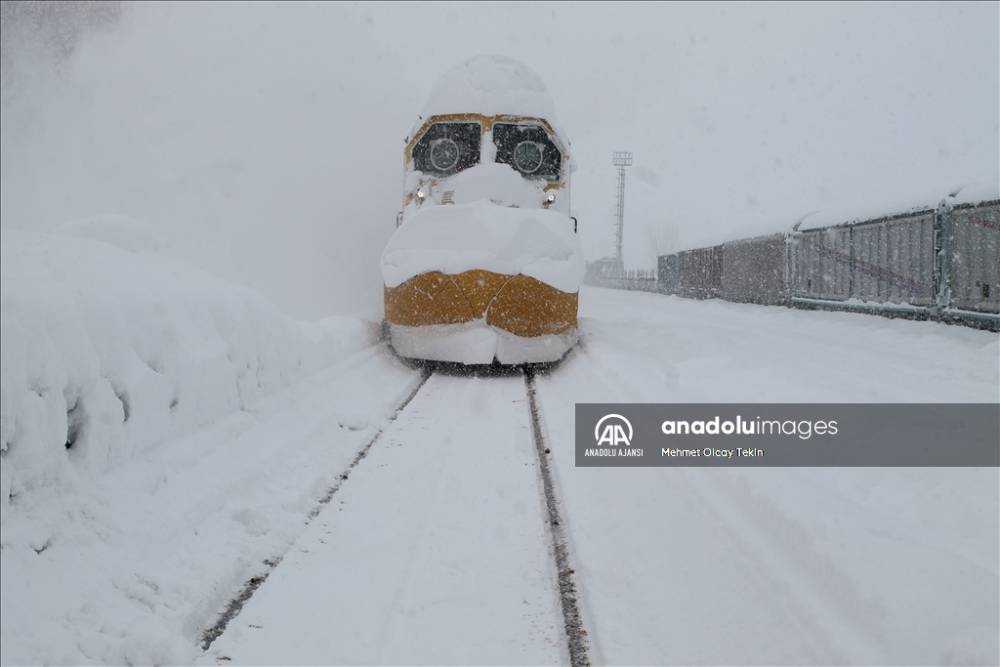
(107, 353)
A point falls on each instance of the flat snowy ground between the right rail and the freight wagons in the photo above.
(778, 566)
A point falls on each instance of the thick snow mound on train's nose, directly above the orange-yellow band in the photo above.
(481, 235)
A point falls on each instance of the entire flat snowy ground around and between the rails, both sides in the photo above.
(434, 549)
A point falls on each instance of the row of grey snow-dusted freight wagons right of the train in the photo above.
(941, 263)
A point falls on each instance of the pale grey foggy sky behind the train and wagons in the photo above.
(264, 142)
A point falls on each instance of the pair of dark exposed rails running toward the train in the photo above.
(575, 634)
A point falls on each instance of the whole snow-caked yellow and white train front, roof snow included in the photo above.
(485, 265)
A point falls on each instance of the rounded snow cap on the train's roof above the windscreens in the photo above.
(490, 85)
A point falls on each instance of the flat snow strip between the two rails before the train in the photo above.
(474, 584)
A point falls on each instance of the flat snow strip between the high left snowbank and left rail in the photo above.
(132, 566)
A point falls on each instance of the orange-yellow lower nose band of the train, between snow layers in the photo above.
(519, 304)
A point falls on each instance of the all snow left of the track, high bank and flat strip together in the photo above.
(164, 434)
